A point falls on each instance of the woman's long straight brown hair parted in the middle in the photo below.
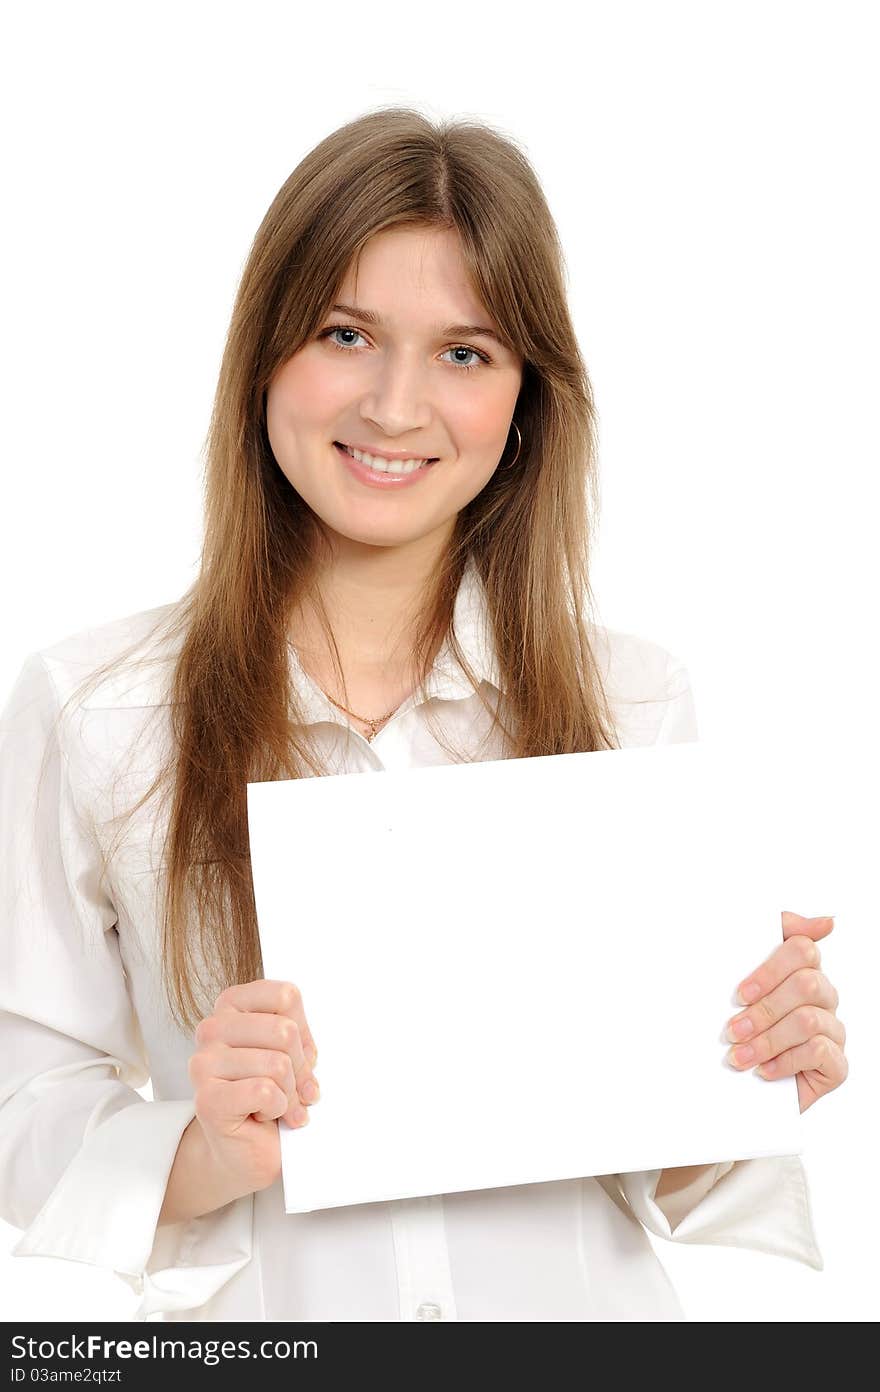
(233, 712)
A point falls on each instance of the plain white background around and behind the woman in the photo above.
(712, 171)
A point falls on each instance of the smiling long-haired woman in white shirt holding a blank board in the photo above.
(402, 485)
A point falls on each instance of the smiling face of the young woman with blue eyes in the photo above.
(403, 383)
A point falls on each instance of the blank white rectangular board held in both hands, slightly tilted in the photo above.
(521, 971)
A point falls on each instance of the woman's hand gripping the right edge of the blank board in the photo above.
(792, 1025)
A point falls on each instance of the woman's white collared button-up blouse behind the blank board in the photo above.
(86, 1159)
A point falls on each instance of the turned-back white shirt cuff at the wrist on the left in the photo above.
(107, 1206)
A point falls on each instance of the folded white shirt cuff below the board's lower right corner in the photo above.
(761, 1203)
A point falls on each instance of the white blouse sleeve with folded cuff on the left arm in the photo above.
(84, 1159)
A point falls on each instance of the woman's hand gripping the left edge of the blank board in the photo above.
(253, 1067)
